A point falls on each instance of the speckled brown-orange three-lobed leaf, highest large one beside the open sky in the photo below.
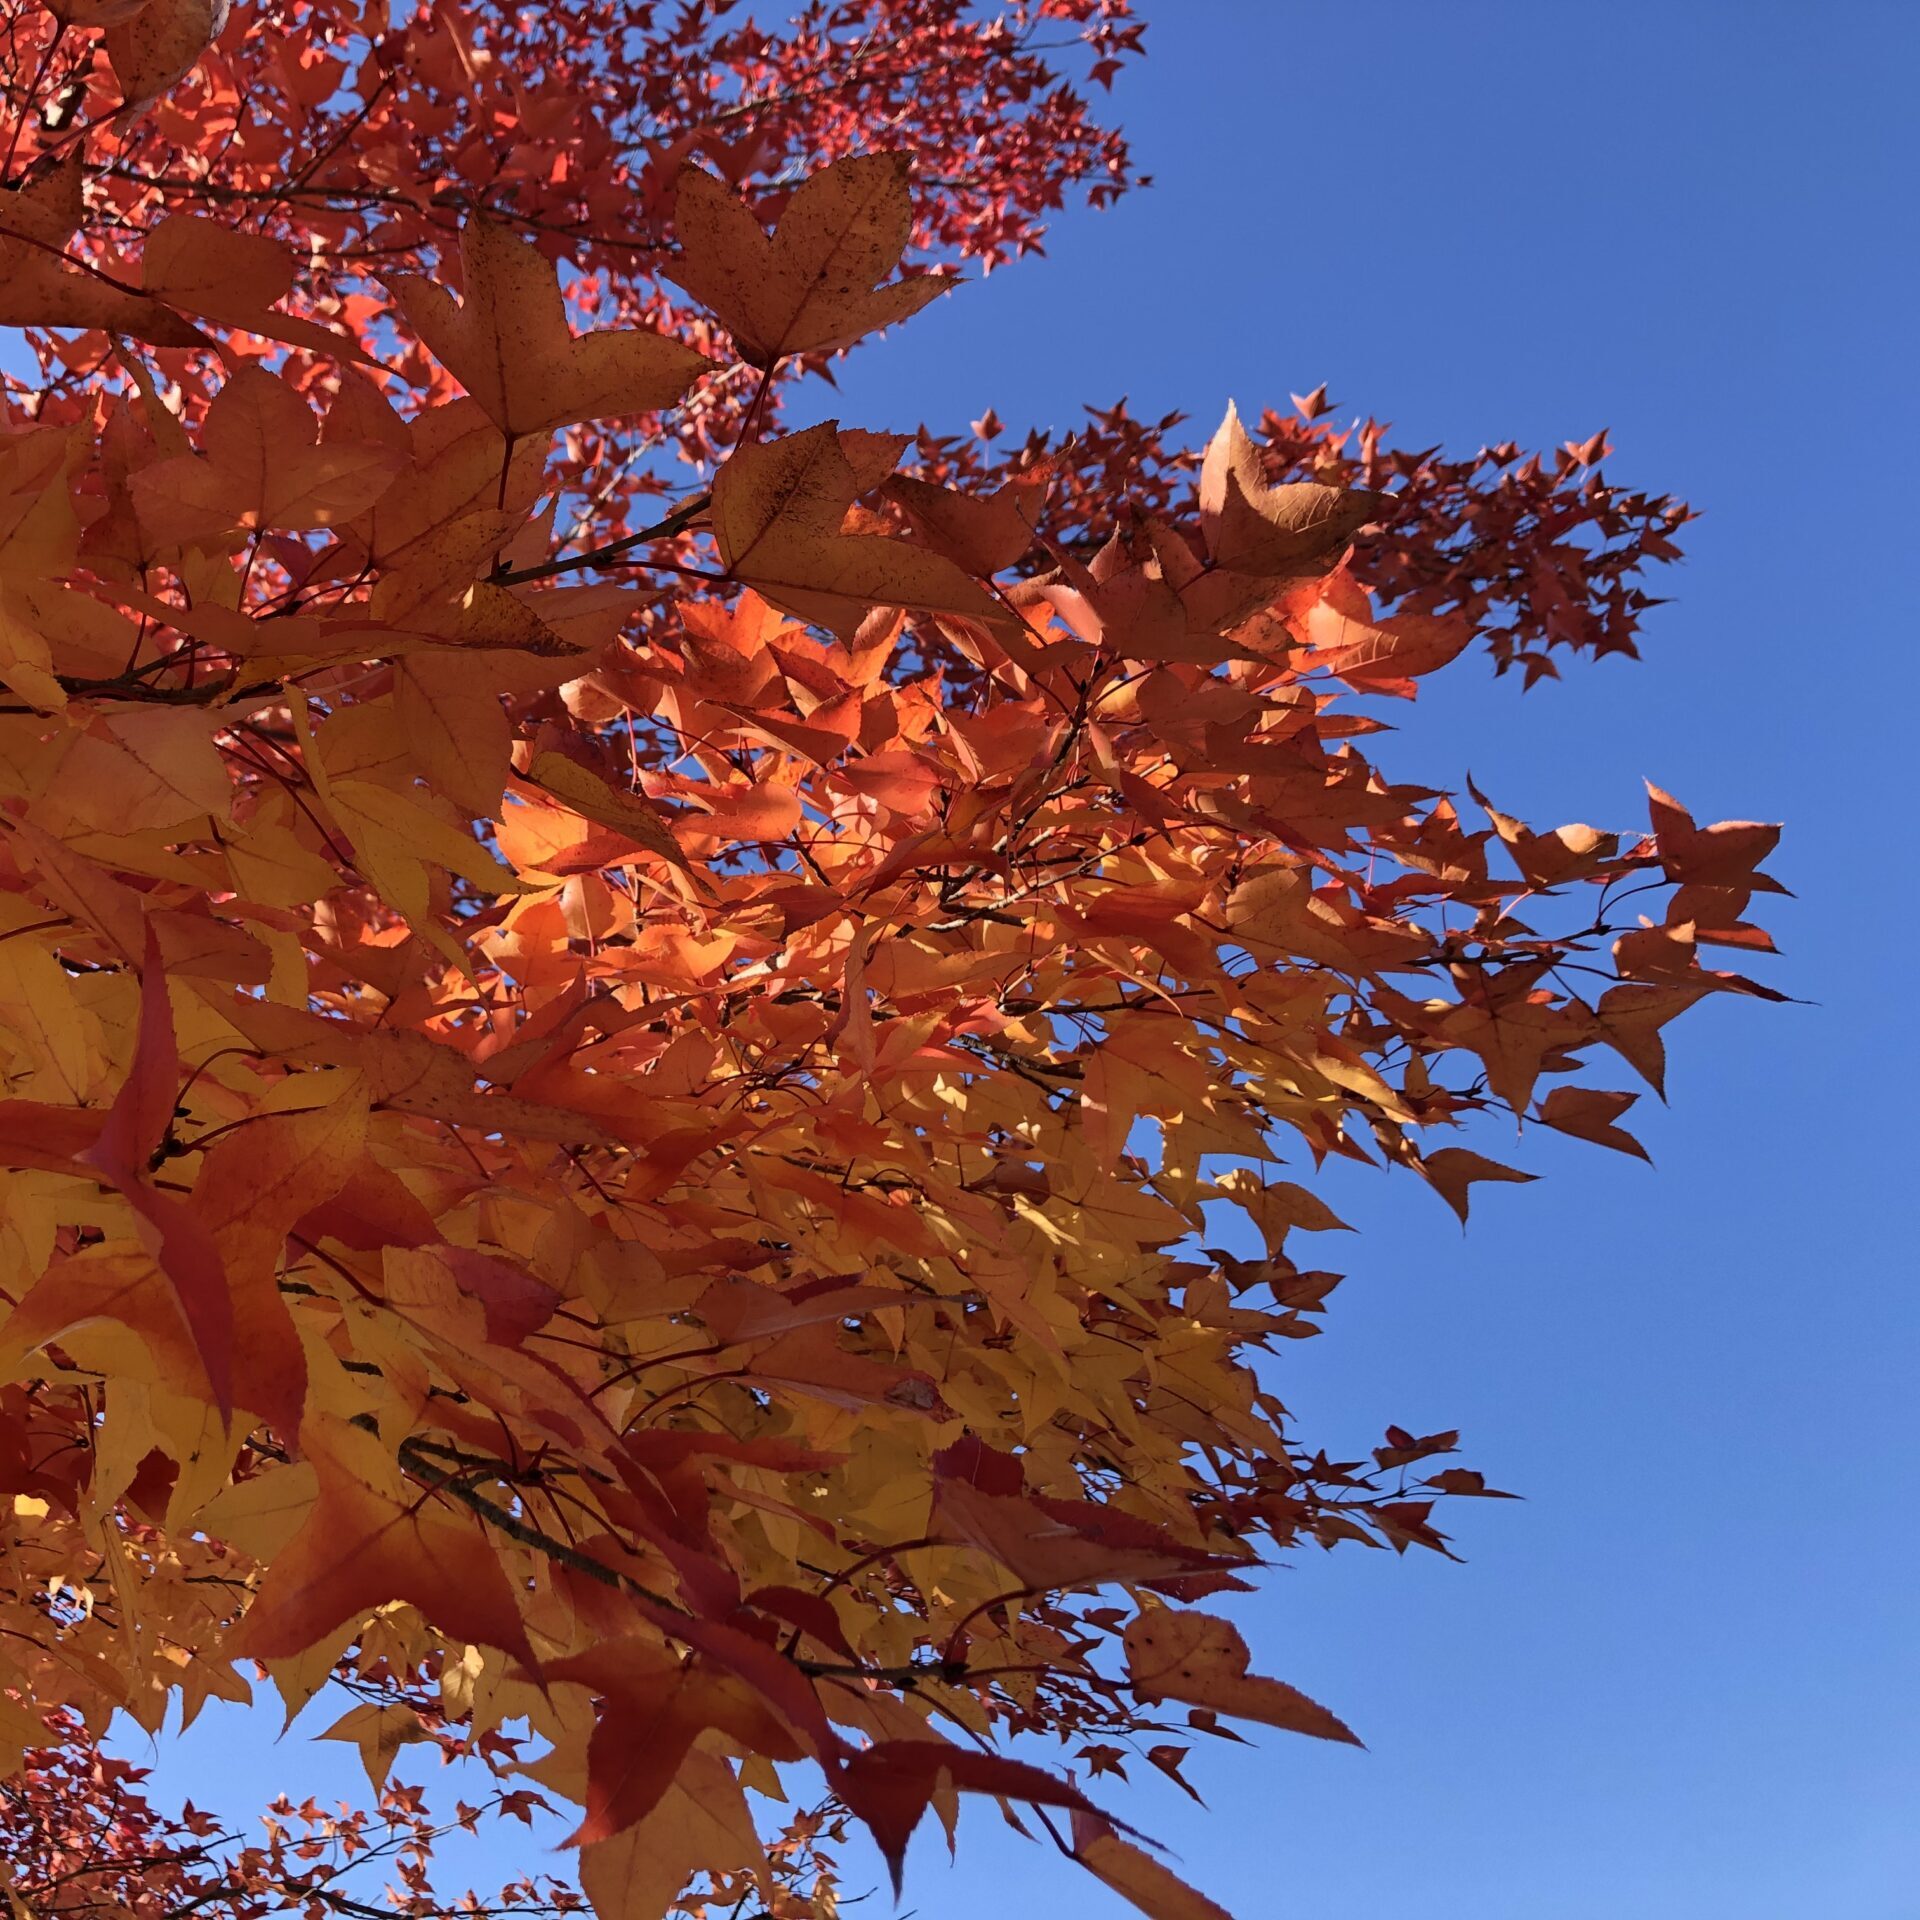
(815, 283)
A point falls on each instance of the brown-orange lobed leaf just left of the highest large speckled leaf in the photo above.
(512, 348)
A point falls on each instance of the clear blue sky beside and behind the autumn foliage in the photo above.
(1683, 1679)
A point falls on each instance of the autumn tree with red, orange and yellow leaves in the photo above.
(621, 1022)
